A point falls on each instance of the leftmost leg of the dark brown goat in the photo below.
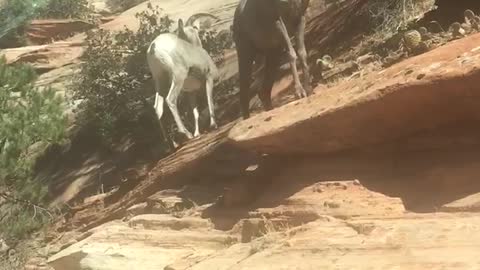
(245, 54)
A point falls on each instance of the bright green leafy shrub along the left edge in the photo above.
(30, 121)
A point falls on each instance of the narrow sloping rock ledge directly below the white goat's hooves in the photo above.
(191, 161)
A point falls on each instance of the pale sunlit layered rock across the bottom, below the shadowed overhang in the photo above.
(320, 226)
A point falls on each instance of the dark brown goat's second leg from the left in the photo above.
(272, 60)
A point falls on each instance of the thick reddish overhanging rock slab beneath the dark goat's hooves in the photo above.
(420, 94)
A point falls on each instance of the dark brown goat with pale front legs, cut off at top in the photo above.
(264, 27)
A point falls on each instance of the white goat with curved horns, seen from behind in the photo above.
(178, 62)
